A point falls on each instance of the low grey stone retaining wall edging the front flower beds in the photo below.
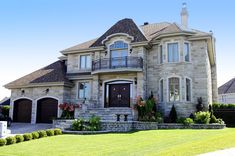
(122, 126)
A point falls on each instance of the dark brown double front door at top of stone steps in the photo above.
(119, 95)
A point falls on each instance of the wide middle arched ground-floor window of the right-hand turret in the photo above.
(174, 89)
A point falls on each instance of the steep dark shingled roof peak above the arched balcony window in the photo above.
(123, 26)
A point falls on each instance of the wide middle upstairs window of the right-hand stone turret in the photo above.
(173, 52)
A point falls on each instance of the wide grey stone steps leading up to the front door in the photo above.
(107, 114)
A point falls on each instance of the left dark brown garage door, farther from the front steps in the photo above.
(22, 110)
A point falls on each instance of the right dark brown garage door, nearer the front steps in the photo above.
(46, 110)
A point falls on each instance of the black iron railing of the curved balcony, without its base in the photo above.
(118, 62)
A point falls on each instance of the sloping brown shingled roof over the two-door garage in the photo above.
(55, 72)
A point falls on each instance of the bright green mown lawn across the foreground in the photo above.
(154, 142)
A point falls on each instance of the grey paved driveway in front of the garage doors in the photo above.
(20, 128)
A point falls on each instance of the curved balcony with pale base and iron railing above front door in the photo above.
(127, 63)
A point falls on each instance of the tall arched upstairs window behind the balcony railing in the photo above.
(118, 53)
